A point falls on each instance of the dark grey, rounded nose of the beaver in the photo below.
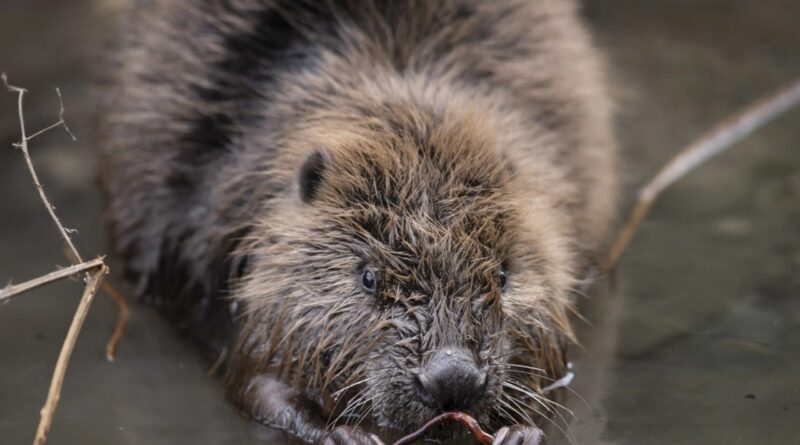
(450, 381)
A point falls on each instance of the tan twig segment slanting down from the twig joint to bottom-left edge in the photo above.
(54, 393)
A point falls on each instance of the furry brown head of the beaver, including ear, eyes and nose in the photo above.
(411, 270)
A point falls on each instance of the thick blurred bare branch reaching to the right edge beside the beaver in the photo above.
(719, 139)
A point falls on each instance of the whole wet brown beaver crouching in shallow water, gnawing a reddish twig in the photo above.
(382, 205)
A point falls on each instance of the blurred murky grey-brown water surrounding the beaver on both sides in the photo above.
(698, 344)
